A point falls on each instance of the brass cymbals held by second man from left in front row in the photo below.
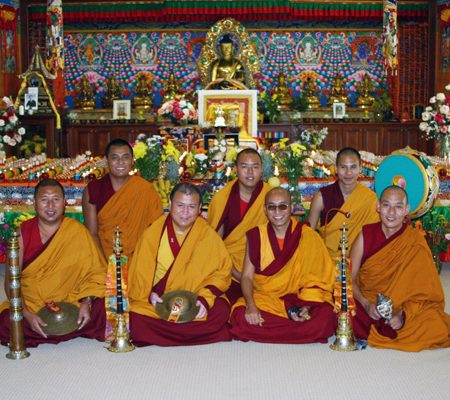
(178, 306)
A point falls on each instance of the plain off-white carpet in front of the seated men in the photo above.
(84, 369)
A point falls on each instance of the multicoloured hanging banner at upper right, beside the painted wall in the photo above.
(390, 39)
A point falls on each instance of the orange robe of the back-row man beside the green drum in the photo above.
(361, 204)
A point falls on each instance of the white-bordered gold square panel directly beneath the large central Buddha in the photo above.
(239, 109)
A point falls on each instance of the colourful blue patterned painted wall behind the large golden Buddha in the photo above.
(318, 55)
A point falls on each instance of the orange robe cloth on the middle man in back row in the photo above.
(235, 242)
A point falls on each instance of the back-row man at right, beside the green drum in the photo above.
(347, 195)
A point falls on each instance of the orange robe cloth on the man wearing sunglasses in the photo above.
(309, 274)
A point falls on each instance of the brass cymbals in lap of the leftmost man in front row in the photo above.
(61, 318)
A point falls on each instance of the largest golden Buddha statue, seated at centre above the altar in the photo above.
(227, 66)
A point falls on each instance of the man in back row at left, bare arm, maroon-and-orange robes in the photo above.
(119, 199)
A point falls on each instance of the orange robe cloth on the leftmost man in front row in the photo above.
(70, 268)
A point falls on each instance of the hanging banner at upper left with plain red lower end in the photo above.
(55, 49)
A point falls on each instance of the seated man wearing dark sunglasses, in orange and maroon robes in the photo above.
(287, 281)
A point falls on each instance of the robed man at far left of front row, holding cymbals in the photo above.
(60, 263)
